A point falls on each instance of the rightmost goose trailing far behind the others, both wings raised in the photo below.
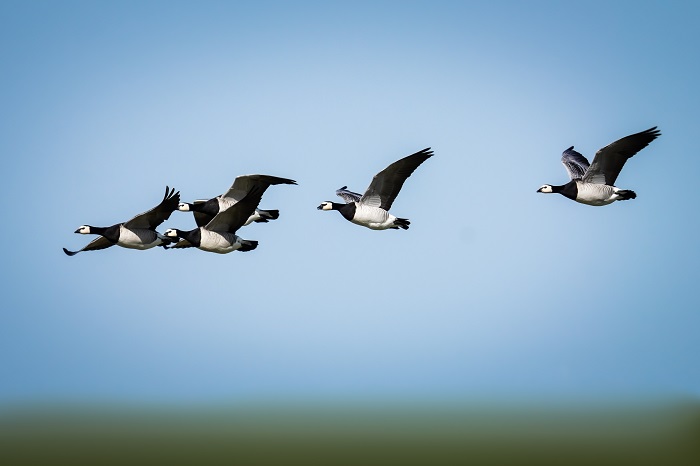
(593, 183)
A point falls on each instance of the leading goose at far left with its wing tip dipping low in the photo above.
(137, 233)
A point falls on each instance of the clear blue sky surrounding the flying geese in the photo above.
(494, 291)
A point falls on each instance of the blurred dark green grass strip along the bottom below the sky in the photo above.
(352, 435)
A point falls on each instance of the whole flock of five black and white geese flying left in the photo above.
(218, 219)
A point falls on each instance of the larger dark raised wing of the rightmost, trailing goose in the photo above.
(609, 160)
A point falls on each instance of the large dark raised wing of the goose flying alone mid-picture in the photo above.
(386, 184)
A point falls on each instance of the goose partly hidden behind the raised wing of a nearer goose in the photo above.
(205, 210)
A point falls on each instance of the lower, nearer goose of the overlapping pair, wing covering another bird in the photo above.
(219, 234)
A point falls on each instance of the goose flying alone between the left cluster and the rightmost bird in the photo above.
(371, 209)
